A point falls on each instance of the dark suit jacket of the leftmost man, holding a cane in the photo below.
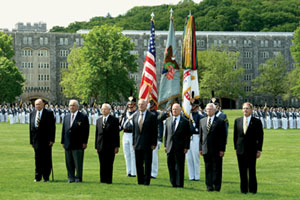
(45, 133)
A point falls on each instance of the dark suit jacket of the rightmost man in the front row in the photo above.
(252, 141)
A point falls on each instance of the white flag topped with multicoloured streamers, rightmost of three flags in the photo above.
(190, 65)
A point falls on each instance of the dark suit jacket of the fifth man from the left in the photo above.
(180, 139)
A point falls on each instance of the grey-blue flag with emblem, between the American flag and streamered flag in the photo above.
(169, 88)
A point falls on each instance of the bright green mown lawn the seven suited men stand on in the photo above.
(278, 171)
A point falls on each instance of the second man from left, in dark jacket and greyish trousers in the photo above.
(74, 139)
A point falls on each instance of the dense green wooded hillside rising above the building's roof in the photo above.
(211, 15)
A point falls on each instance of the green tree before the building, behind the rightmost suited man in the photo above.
(273, 79)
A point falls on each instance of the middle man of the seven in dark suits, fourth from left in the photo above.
(144, 141)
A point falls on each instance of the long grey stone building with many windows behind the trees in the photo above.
(40, 55)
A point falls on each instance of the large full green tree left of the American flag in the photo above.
(101, 68)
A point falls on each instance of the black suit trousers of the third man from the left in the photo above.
(106, 159)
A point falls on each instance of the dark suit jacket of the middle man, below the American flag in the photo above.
(143, 140)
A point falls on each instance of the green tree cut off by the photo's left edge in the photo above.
(11, 79)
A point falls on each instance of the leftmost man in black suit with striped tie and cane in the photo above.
(42, 137)
